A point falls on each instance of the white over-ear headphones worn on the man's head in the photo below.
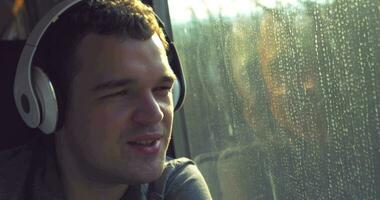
(33, 91)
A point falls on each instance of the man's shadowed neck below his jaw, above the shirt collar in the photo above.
(79, 184)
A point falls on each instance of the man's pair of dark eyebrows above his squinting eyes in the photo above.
(112, 84)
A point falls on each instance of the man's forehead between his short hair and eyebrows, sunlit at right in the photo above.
(104, 57)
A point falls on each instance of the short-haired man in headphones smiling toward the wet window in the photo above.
(108, 63)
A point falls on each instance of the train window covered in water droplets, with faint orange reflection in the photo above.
(283, 96)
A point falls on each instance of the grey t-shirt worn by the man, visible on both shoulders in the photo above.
(26, 174)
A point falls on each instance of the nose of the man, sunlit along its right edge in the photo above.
(148, 110)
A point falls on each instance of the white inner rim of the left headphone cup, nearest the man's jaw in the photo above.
(47, 100)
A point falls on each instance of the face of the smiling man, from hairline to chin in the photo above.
(119, 120)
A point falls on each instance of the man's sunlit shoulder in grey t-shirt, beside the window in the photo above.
(182, 179)
